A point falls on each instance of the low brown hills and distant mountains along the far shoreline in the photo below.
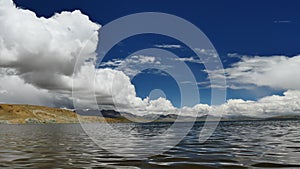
(29, 114)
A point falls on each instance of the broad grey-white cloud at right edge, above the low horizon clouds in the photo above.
(277, 72)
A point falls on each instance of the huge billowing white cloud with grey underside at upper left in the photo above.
(43, 51)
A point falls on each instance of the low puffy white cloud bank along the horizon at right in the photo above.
(268, 106)
